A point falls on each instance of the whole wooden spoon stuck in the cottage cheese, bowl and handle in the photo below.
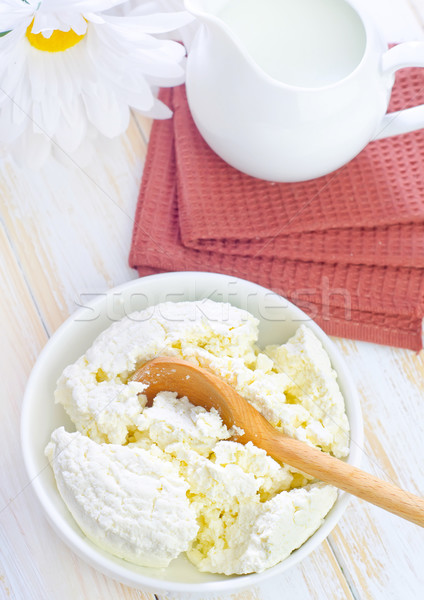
(206, 389)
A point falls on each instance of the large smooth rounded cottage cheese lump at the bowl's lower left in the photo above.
(129, 501)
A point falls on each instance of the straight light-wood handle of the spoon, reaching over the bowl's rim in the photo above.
(345, 476)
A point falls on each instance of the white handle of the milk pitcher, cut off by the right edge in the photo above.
(409, 54)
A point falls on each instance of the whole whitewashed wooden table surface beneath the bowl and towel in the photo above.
(65, 234)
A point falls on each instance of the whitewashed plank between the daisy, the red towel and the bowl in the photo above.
(71, 227)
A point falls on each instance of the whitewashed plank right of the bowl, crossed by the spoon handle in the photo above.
(382, 555)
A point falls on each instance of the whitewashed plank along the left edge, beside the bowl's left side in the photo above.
(35, 564)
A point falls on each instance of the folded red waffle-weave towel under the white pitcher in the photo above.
(348, 248)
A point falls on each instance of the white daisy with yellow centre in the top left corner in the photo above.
(68, 67)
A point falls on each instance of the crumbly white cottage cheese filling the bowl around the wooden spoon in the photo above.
(147, 483)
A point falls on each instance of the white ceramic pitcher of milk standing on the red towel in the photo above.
(289, 90)
